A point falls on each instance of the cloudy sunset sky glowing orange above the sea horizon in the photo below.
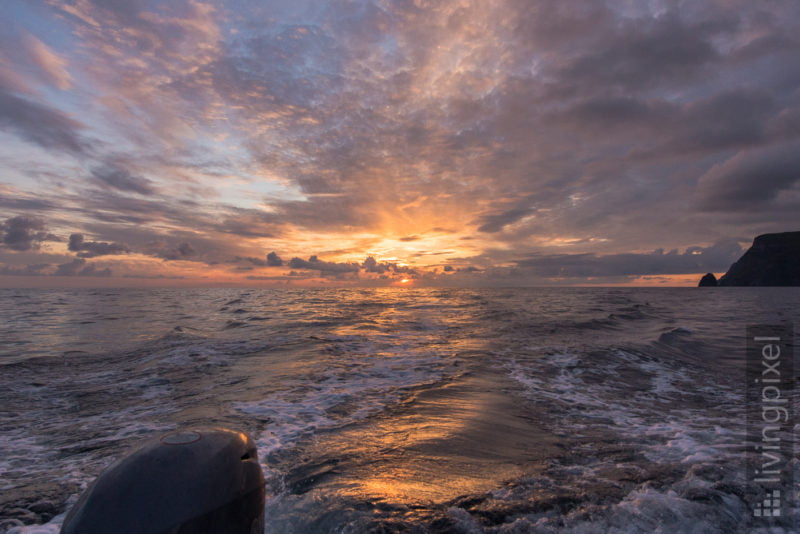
(405, 143)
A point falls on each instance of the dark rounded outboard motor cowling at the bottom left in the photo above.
(189, 482)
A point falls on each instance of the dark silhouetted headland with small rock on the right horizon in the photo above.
(772, 260)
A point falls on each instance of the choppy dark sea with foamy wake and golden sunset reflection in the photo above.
(423, 410)
